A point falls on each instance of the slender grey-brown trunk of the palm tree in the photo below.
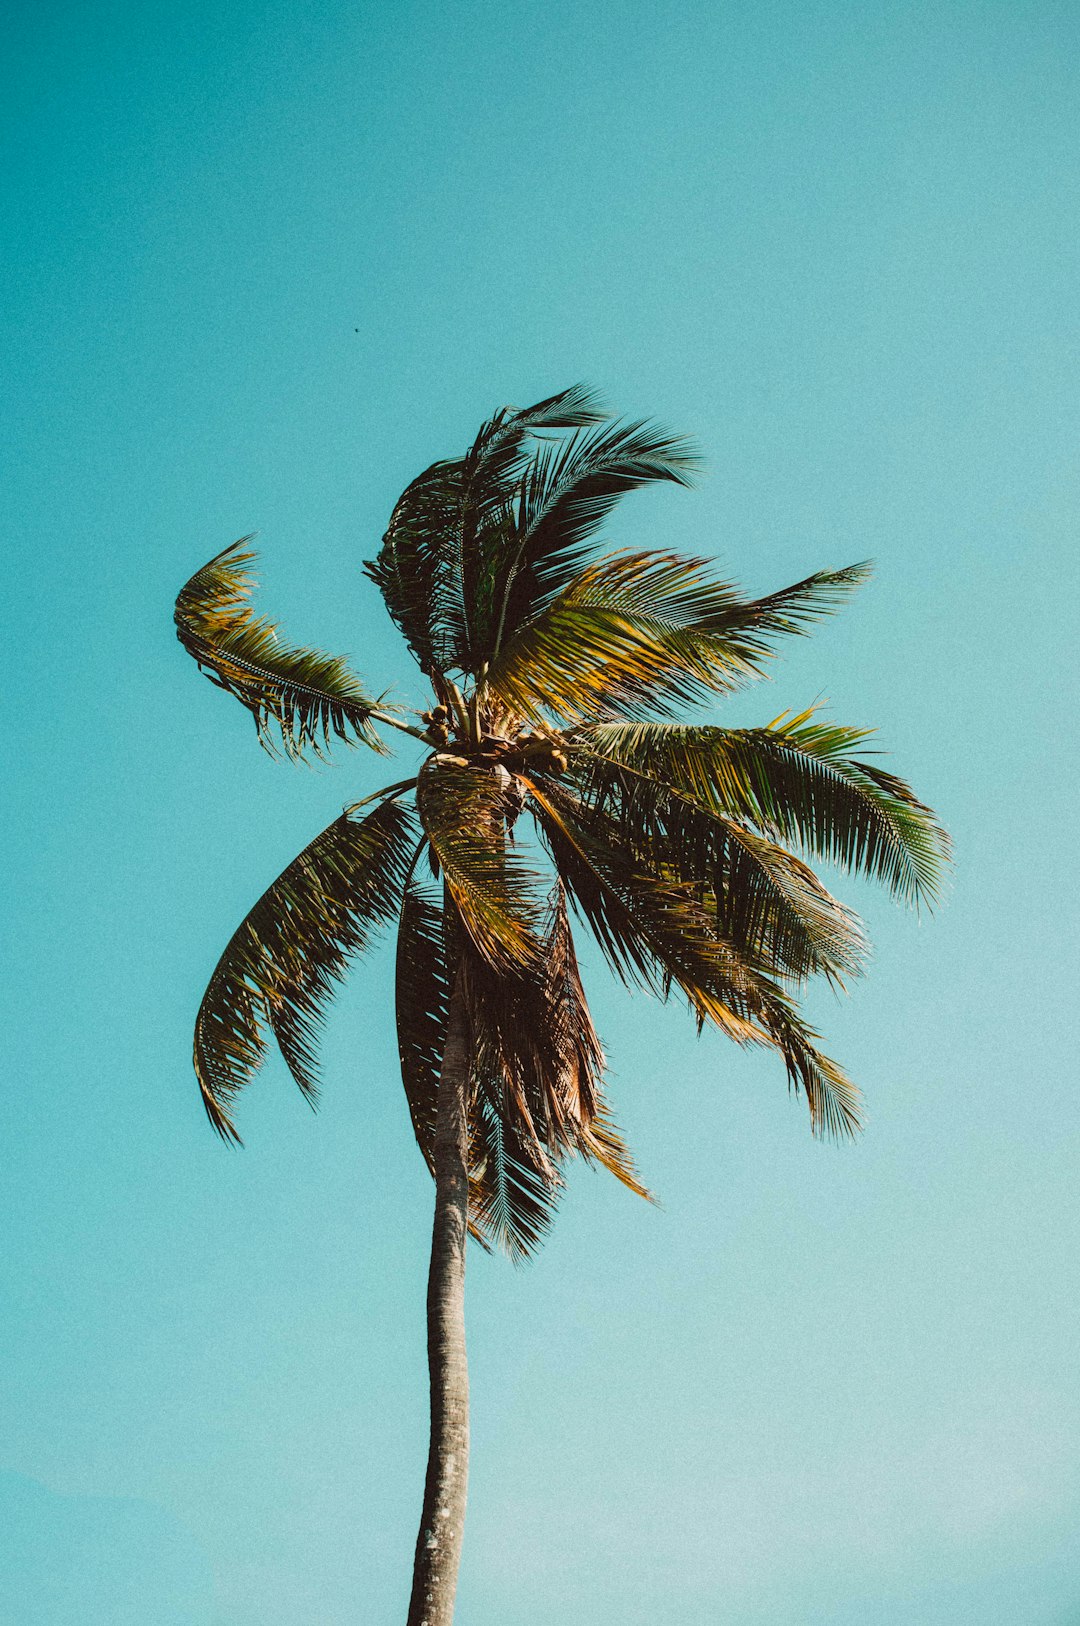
(443, 1519)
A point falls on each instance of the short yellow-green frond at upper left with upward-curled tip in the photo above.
(308, 695)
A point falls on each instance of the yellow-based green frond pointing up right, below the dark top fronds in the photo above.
(650, 633)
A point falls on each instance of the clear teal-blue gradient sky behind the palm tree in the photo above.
(263, 264)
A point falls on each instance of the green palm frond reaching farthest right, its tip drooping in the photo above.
(798, 781)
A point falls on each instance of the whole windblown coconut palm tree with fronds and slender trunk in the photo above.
(557, 785)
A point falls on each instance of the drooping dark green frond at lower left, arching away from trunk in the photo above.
(284, 962)
